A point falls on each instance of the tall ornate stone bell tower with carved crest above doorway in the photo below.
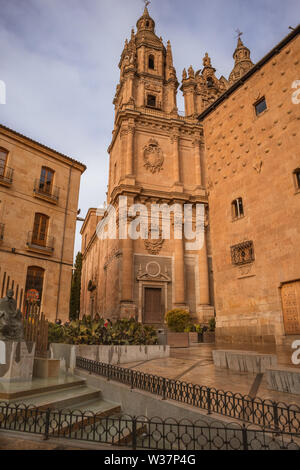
(155, 158)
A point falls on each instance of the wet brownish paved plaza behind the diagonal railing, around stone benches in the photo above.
(195, 365)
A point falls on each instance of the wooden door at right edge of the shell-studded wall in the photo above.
(290, 295)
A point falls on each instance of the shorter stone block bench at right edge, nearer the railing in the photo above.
(284, 379)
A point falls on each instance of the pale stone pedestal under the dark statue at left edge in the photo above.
(16, 362)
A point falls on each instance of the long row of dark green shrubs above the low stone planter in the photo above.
(99, 332)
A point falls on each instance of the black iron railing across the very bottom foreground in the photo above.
(142, 432)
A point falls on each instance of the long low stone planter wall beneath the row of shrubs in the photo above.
(108, 354)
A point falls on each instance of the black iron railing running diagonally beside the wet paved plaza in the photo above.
(266, 413)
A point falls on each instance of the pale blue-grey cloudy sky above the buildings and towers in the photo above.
(59, 61)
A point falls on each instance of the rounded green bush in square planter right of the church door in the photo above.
(178, 321)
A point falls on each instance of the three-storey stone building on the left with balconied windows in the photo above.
(39, 190)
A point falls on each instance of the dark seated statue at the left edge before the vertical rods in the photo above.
(11, 323)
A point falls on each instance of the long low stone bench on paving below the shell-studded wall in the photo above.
(244, 361)
